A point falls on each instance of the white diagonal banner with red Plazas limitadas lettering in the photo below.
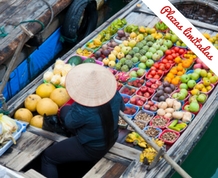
(185, 31)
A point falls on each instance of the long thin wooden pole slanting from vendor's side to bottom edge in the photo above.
(155, 146)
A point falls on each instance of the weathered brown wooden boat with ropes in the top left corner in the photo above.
(41, 18)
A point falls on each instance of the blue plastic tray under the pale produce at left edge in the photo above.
(16, 135)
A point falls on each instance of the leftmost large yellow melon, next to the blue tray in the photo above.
(23, 114)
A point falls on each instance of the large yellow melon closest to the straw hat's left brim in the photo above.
(60, 96)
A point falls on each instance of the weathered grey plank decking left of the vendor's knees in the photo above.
(28, 147)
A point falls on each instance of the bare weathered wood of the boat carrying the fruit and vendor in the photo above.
(122, 160)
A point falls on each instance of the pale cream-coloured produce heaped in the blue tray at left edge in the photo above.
(7, 127)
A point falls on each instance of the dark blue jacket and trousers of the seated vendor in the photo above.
(89, 143)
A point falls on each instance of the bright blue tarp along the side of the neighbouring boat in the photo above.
(31, 67)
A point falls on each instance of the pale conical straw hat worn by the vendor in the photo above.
(90, 84)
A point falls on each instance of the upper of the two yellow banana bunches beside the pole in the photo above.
(136, 139)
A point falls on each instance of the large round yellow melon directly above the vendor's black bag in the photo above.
(46, 106)
